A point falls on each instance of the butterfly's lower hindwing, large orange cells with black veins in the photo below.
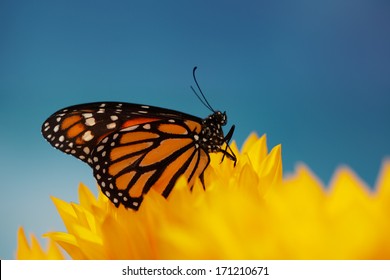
(140, 156)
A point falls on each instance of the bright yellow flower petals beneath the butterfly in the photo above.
(246, 212)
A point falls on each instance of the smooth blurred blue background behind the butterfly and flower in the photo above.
(312, 75)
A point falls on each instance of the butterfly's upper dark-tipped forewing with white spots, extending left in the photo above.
(77, 130)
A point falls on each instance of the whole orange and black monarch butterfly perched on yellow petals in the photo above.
(133, 147)
